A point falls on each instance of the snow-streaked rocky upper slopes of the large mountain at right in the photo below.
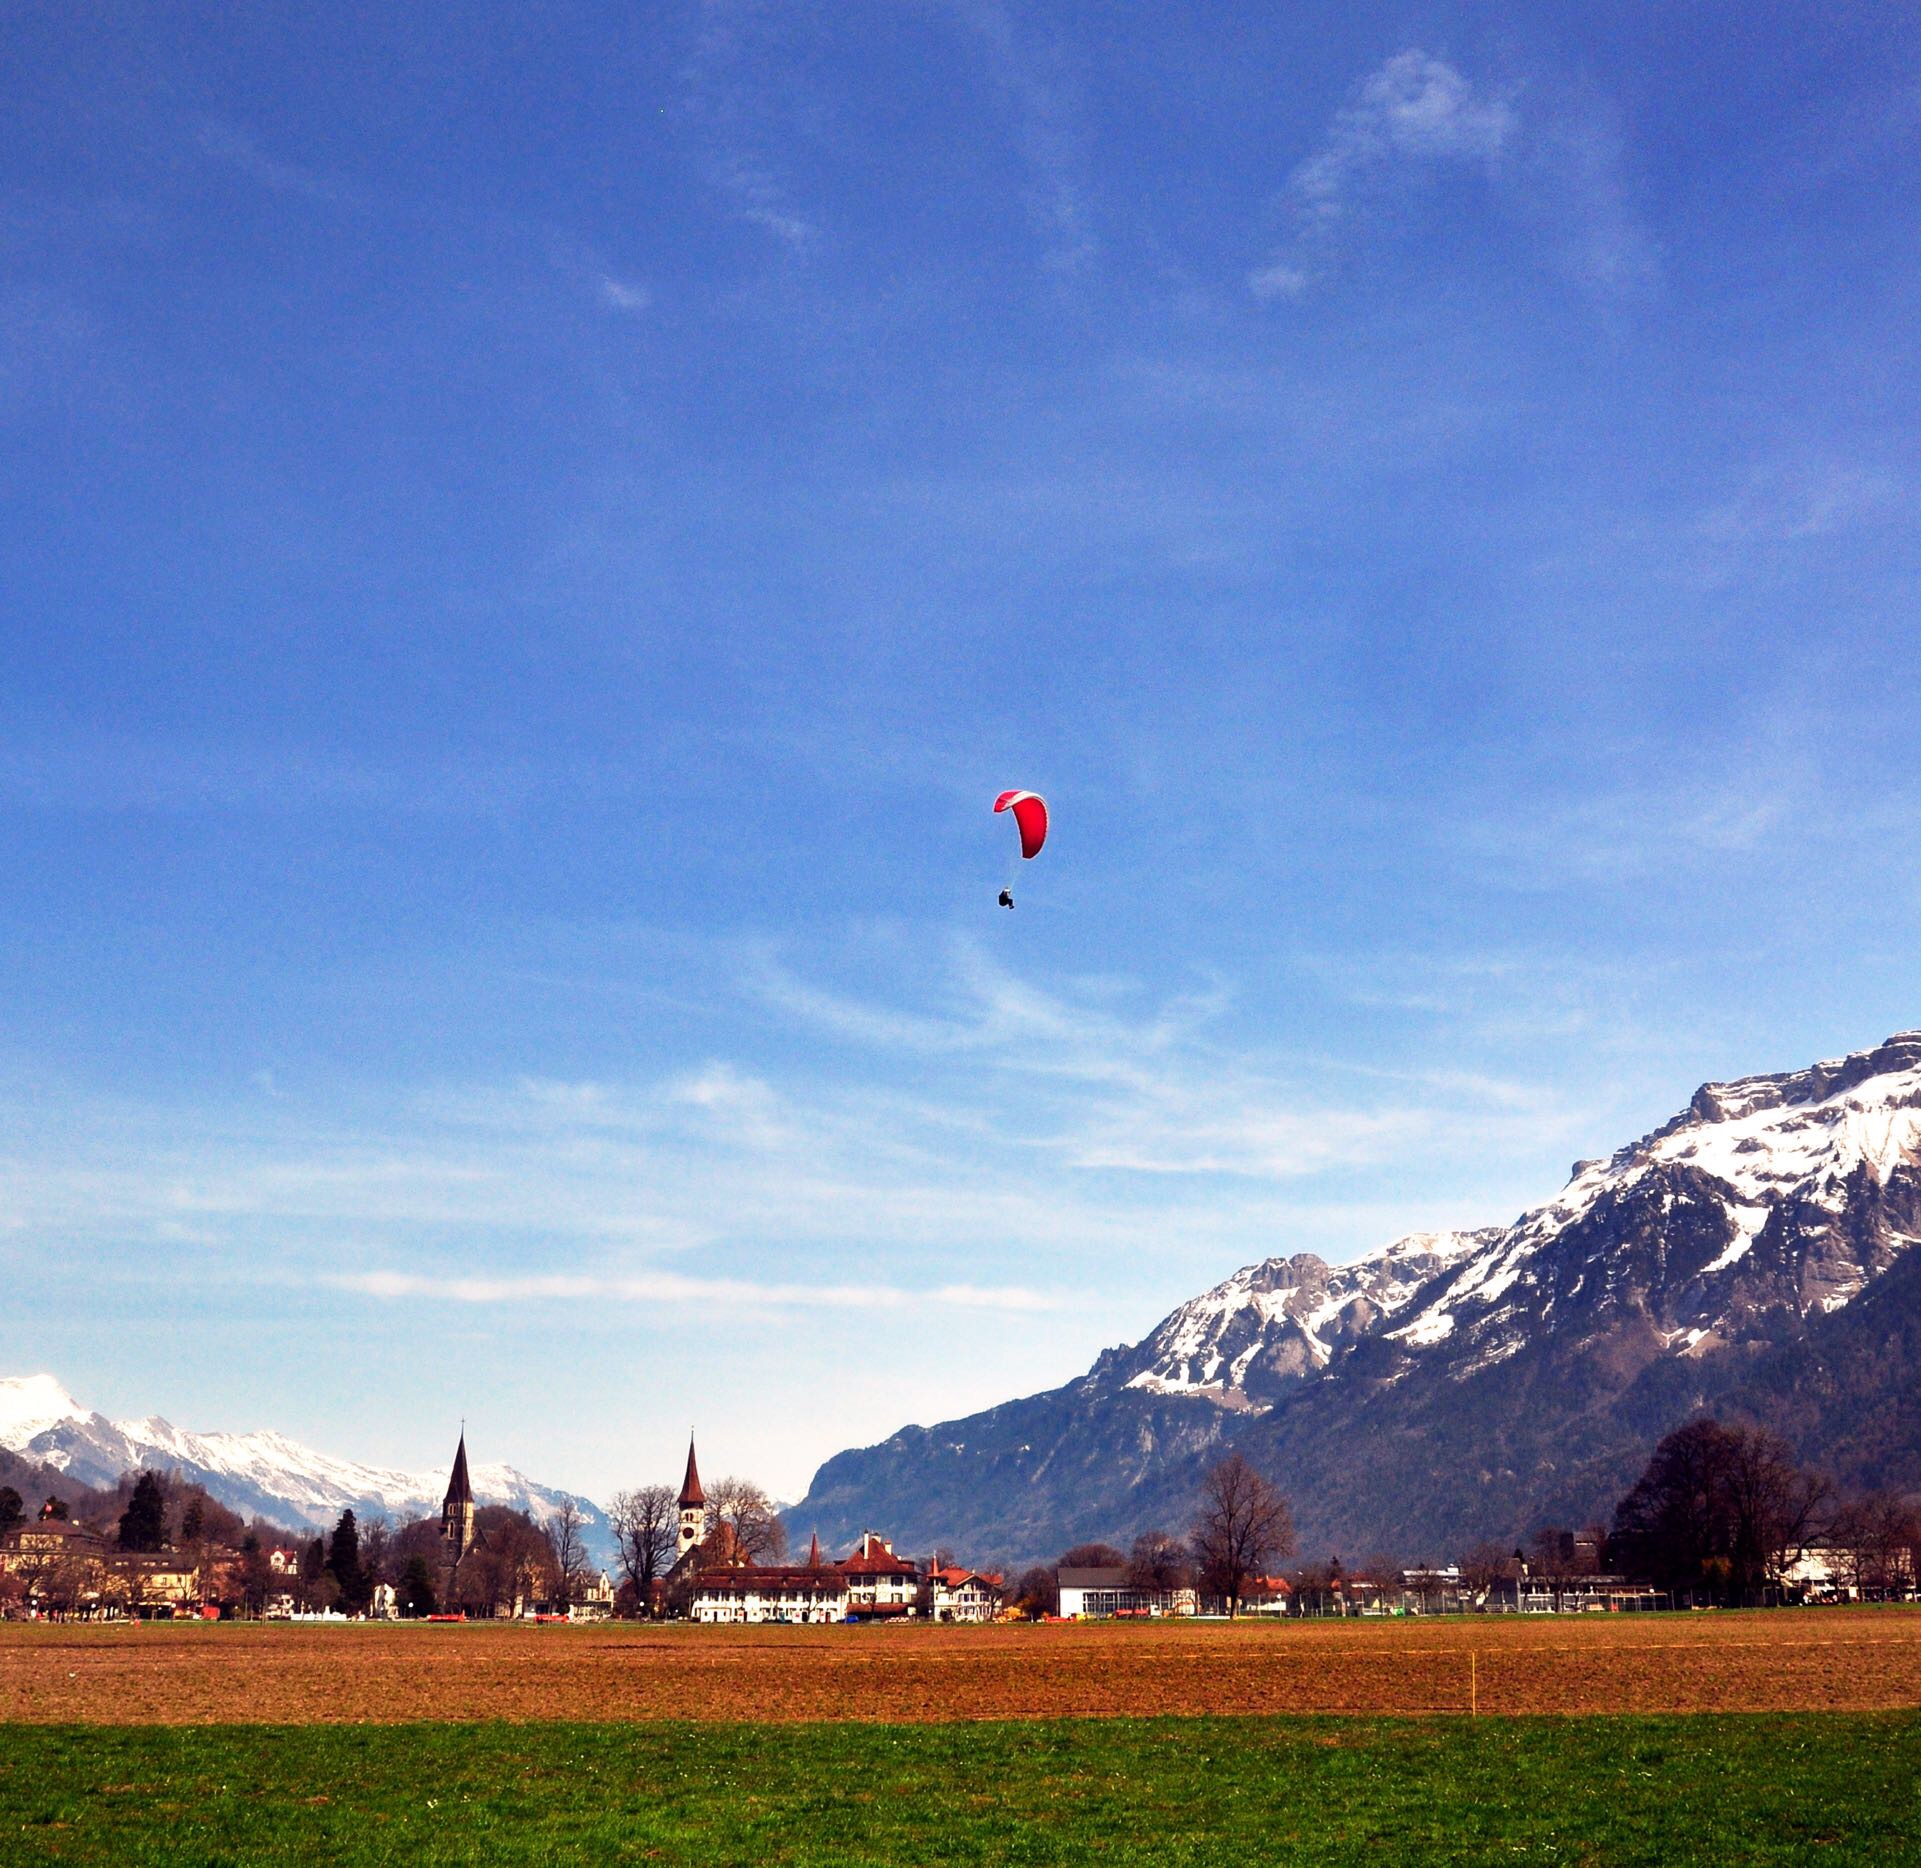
(1782, 1192)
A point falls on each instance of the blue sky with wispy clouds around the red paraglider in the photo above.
(529, 543)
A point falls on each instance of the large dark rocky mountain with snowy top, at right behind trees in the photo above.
(1751, 1256)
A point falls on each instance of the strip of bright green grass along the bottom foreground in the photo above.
(1753, 1788)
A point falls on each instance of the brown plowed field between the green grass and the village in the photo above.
(164, 1673)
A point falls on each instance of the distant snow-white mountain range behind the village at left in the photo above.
(260, 1473)
